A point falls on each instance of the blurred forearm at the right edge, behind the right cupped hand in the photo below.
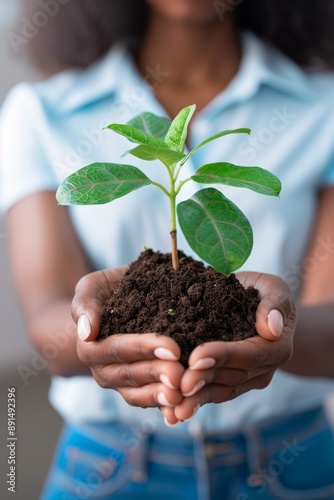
(313, 343)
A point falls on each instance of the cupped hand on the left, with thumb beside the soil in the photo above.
(143, 368)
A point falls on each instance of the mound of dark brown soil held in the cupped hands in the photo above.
(194, 305)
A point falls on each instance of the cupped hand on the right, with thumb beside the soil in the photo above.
(221, 371)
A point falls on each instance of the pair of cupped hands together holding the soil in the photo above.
(144, 368)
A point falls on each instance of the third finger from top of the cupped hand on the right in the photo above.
(214, 393)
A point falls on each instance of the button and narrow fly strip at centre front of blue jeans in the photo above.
(202, 472)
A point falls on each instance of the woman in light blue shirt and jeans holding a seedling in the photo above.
(272, 444)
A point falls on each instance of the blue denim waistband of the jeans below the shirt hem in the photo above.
(230, 446)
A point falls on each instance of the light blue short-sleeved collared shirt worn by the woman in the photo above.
(49, 130)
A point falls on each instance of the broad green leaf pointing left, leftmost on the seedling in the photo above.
(100, 183)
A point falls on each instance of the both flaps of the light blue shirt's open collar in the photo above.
(261, 65)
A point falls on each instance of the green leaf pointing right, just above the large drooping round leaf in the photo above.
(254, 178)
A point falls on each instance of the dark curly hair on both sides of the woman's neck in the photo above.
(302, 29)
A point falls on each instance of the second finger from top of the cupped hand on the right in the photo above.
(194, 380)
